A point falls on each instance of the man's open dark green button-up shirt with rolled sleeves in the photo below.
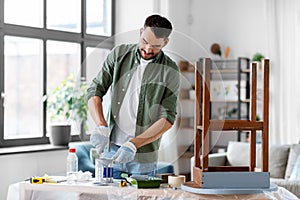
(159, 89)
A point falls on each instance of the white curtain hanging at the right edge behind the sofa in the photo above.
(283, 31)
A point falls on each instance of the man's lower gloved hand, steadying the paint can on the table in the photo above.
(125, 153)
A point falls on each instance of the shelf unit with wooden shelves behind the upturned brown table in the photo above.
(235, 71)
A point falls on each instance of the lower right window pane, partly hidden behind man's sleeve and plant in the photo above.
(94, 62)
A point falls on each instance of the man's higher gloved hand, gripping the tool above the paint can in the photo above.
(99, 138)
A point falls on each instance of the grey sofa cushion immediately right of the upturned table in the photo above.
(278, 156)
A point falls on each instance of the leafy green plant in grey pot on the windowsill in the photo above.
(66, 104)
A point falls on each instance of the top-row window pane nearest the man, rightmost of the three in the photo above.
(98, 17)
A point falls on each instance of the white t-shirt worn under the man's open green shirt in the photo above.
(126, 120)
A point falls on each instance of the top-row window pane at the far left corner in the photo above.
(27, 13)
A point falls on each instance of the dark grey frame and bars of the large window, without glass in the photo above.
(83, 39)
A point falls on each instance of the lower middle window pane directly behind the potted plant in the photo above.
(63, 59)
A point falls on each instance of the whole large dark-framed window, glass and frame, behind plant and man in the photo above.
(42, 44)
